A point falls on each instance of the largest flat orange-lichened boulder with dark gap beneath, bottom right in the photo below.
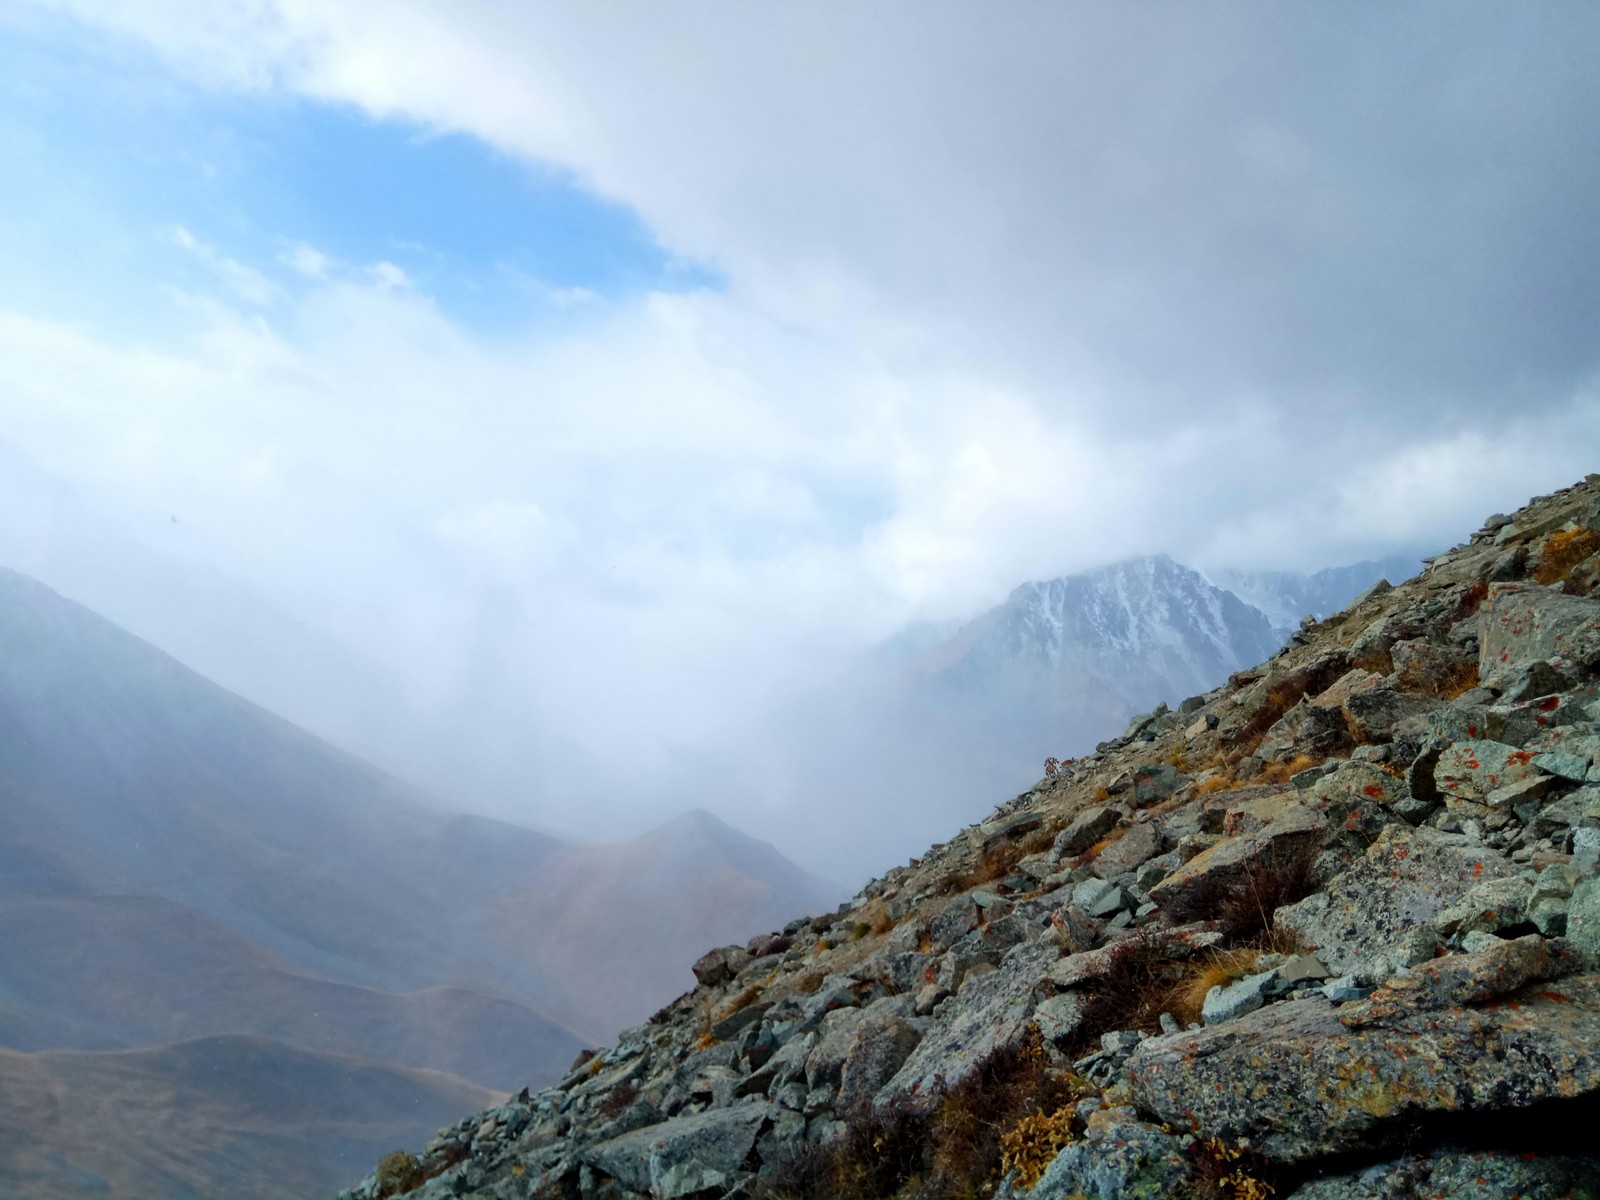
(1335, 1089)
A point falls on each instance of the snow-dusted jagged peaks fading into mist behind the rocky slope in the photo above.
(943, 713)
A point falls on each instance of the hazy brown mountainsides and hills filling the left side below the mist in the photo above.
(202, 895)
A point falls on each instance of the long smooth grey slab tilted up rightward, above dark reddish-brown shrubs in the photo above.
(990, 1015)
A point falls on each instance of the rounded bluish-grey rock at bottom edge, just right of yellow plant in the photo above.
(1118, 1159)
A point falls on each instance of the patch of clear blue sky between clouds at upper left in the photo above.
(111, 151)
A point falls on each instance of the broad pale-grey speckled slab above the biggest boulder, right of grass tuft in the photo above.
(1406, 881)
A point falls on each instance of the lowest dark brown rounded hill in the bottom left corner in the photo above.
(215, 1118)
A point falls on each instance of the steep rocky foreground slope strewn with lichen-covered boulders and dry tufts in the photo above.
(1327, 932)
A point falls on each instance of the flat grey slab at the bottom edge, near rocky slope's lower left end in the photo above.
(682, 1156)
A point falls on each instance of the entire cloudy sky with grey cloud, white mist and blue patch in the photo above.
(577, 383)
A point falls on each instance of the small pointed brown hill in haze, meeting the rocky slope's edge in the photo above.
(620, 924)
